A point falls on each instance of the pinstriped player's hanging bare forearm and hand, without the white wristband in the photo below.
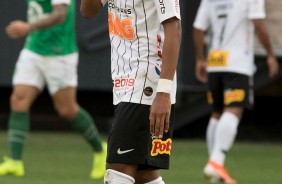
(160, 109)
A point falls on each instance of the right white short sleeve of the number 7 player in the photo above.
(256, 9)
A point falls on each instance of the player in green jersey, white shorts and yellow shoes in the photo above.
(49, 57)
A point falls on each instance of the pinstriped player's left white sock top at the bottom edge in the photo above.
(115, 177)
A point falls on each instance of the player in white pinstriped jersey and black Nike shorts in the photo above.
(145, 39)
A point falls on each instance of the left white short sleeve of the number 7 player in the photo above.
(202, 21)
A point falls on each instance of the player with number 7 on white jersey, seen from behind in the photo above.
(229, 70)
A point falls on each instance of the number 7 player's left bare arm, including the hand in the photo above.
(201, 64)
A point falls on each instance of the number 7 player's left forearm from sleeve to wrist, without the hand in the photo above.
(198, 36)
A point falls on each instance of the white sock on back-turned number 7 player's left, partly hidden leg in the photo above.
(210, 133)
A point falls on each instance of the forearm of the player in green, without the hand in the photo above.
(57, 16)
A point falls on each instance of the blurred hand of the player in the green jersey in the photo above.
(18, 29)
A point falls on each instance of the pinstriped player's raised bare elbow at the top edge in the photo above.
(90, 8)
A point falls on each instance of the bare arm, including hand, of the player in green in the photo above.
(18, 28)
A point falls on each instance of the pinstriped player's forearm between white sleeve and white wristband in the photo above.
(171, 48)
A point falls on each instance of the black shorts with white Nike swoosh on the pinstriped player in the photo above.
(130, 141)
